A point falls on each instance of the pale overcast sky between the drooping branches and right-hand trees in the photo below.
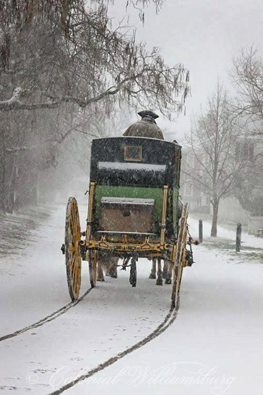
(204, 35)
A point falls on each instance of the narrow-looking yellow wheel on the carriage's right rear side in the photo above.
(180, 257)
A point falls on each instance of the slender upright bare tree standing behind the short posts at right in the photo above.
(212, 144)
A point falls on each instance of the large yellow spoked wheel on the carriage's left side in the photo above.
(72, 248)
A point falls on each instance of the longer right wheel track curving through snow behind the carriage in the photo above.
(168, 320)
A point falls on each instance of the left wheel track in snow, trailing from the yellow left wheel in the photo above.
(46, 319)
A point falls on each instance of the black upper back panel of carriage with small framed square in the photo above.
(135, 161)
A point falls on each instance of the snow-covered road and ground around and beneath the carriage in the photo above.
(215, 346)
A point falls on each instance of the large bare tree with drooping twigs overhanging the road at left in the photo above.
(61, 61)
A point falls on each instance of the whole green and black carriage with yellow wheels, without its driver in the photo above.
(133, 211)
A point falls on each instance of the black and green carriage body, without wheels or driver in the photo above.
(129, 174)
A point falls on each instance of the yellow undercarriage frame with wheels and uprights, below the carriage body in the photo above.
(83, 246)
